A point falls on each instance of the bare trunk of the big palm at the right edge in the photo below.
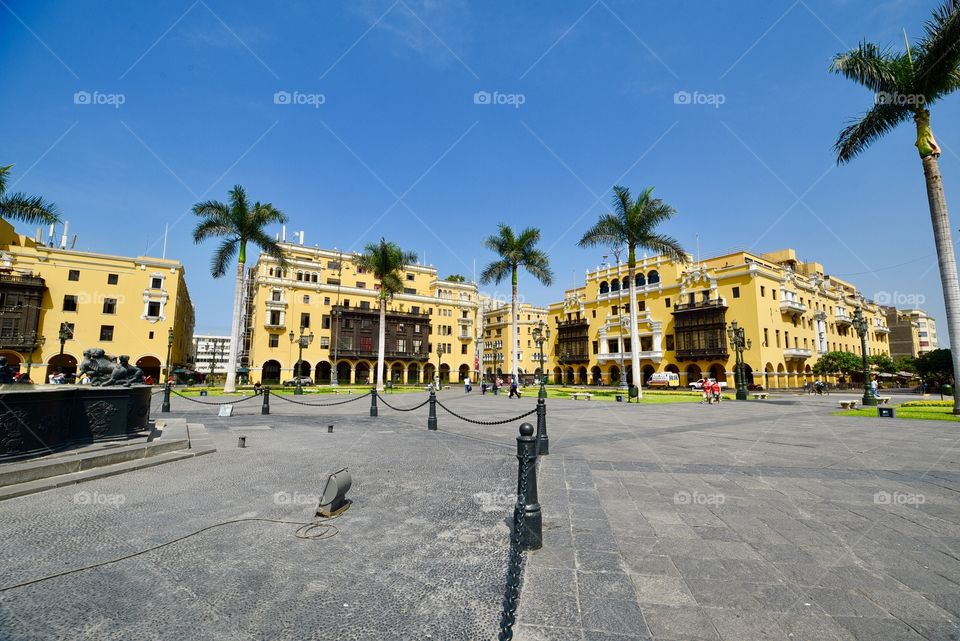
(948, 264)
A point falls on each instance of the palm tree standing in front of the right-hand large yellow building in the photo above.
(633, 224)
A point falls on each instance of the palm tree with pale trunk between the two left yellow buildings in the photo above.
(237, 223)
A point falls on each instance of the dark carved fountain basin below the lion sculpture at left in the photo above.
(41, 420)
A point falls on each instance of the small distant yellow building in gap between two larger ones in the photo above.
(497, 357)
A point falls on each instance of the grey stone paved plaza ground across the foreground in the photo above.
(759, 520)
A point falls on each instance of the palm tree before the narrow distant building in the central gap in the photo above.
(516, 251)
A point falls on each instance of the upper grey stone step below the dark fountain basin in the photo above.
(54, 465)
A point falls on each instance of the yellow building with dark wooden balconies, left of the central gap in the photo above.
(431, 326)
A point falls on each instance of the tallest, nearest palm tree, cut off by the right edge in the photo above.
(906, 84)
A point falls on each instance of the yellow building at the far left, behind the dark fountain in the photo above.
(126, 306)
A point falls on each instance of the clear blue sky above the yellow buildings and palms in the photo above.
(382, 133)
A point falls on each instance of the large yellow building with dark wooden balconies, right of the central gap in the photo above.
(791, 311)
